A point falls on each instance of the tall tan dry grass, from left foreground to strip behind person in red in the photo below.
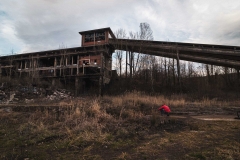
(87, 118)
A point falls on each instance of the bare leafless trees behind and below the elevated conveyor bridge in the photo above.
(154, 74)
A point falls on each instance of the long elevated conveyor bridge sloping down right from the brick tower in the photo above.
(220, 55)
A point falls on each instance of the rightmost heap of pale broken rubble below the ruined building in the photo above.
(59, 95)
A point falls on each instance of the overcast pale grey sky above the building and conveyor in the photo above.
(37, 25)
